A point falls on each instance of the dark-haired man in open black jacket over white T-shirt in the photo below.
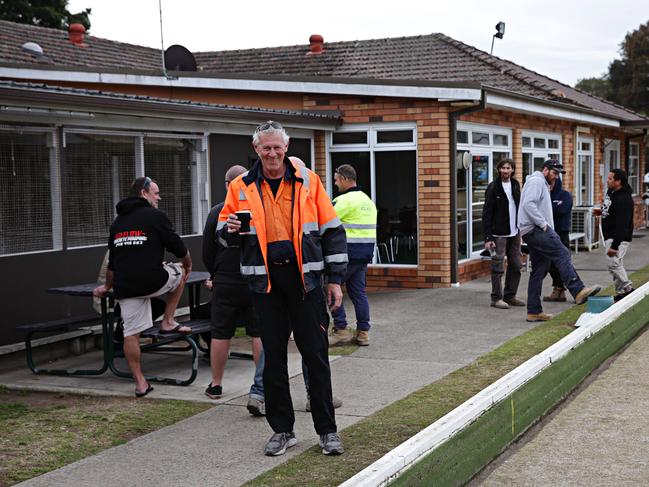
(499, 222)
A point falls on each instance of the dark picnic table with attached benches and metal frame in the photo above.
(158, 342)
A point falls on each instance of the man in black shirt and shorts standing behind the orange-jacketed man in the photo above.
(231, 304)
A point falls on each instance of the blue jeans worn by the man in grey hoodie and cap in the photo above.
(545, 249)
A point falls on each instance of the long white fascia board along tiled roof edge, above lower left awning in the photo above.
(406, 91)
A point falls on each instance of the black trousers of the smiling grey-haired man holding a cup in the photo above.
(287, 307)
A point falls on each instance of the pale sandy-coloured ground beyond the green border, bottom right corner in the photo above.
(600, 437)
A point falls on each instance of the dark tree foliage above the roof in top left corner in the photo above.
(44, 13)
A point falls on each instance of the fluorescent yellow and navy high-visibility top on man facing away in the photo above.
(357, 213)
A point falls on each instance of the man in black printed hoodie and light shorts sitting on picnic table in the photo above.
(136, 270)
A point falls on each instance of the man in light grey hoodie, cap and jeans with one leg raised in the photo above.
(536, 225)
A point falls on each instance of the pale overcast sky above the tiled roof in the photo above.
(564, 39)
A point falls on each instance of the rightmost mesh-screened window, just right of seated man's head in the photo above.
(170, 163)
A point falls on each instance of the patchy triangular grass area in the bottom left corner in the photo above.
(42, 431)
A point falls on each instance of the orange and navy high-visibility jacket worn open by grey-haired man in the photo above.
(318, 235)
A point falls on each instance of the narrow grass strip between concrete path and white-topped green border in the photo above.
(374, 436)
